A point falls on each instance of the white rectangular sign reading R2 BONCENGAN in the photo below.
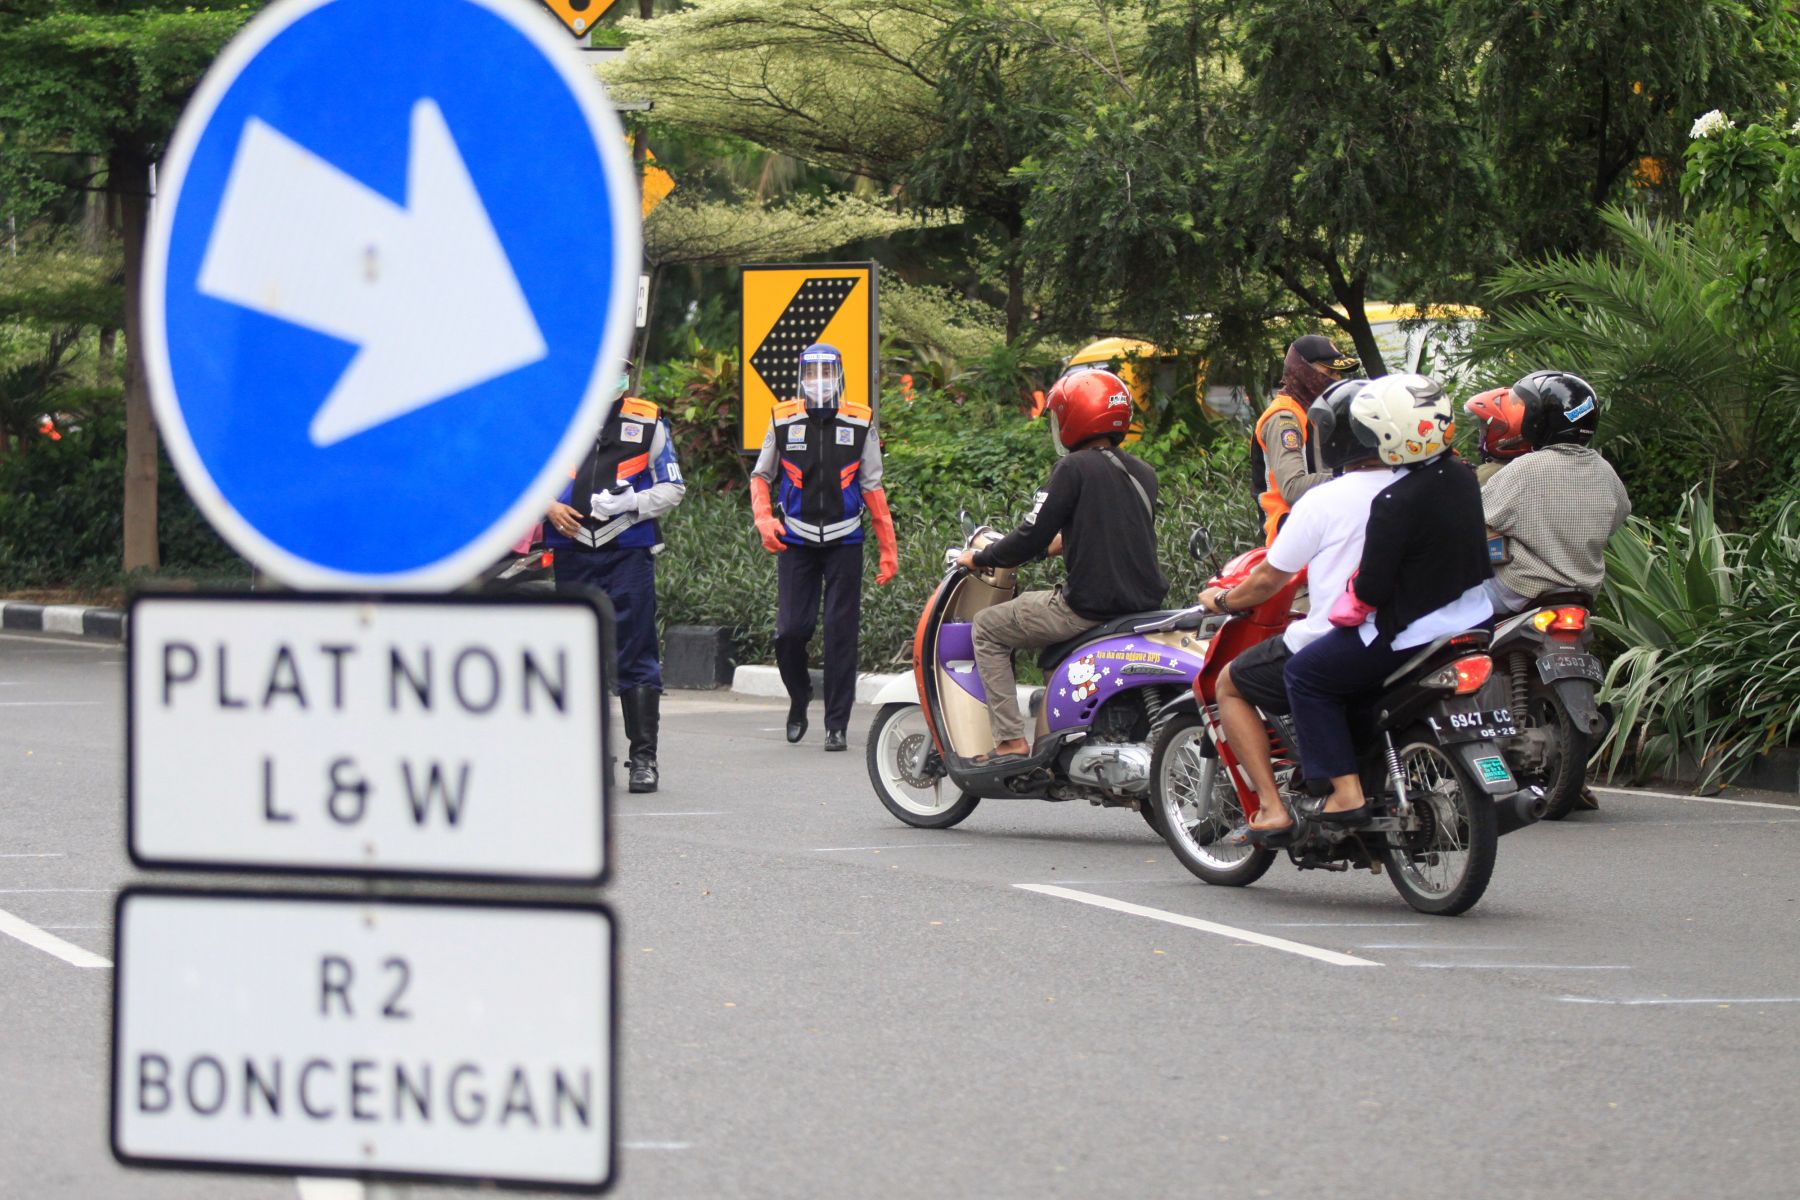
(361, 1037)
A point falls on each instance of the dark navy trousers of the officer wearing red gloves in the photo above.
(802, 571)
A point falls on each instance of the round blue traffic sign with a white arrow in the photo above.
(372, 345)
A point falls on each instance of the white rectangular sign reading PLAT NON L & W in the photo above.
(399, 737)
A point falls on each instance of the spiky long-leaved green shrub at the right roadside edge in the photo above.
(1709, 623)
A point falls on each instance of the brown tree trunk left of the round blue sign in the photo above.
(129, 179)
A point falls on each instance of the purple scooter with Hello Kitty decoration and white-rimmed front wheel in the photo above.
(1093, 724)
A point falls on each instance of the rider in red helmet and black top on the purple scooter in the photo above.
(1099, 514)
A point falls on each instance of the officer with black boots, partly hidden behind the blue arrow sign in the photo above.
(604, 532)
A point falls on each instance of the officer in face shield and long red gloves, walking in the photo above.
(825, 460)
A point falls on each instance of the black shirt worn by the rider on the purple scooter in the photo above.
(1108, 533)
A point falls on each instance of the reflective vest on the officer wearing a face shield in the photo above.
(820, 497)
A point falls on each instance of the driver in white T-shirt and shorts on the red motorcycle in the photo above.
(1324, 535)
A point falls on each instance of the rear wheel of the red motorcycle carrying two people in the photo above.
(1479, 828)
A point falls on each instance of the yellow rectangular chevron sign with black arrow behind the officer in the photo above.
(789, 309)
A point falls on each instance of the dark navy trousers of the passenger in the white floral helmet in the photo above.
(1324, 685)
